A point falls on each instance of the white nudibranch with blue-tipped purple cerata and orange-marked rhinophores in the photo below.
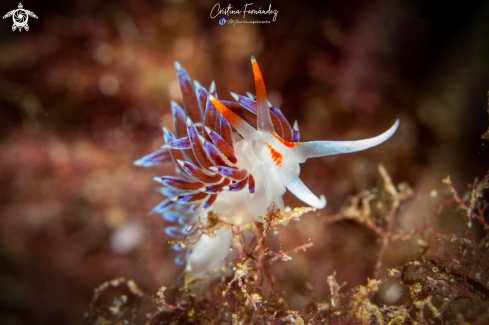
(235, 159)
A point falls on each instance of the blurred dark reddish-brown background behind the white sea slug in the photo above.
(85, 91)
